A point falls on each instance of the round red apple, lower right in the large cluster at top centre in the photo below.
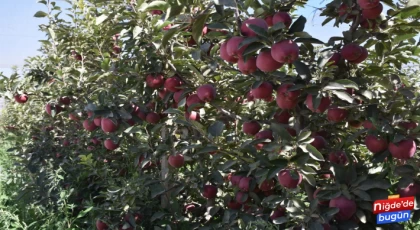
(286, 51)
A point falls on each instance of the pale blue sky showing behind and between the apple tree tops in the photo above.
(19, 32)
